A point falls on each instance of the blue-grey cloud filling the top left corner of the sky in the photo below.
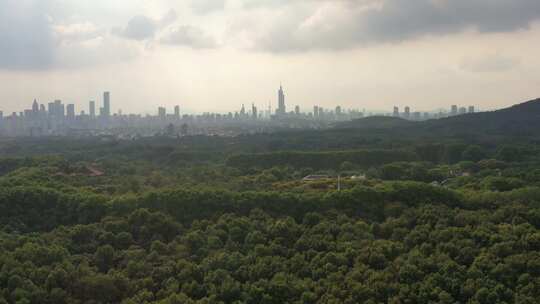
(26, 35)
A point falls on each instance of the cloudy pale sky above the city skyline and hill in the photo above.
(215, 55)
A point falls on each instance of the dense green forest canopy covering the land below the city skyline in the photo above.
(413, 217)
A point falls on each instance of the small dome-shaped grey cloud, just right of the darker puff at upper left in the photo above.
(189, 36)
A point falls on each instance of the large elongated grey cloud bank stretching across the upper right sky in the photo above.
(342, 24)
